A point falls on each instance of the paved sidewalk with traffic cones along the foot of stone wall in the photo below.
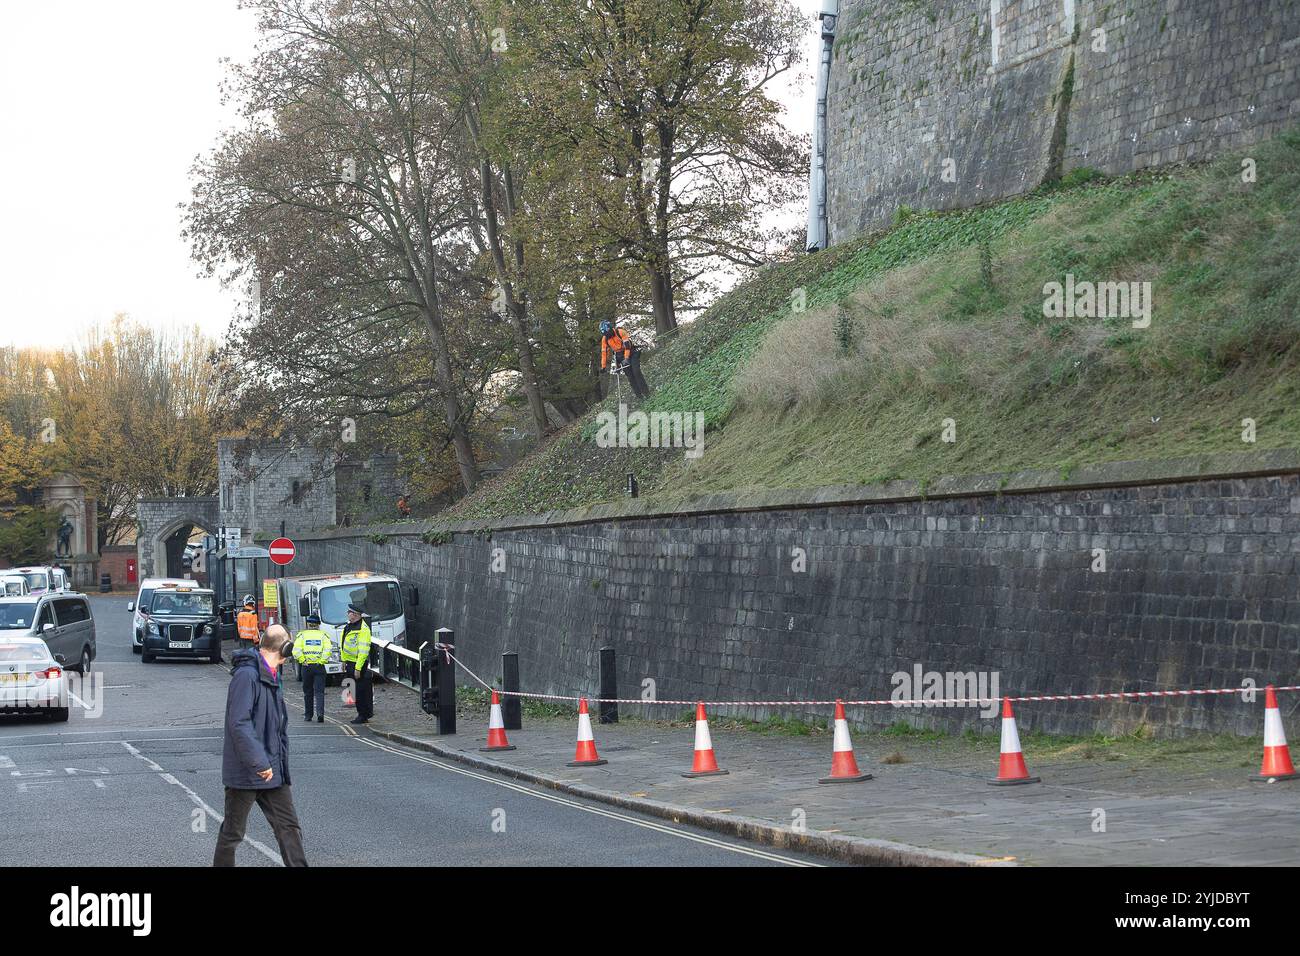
(1197, 811)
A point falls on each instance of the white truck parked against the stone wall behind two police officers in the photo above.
(379, 596)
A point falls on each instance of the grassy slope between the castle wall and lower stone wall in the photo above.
(787, 406)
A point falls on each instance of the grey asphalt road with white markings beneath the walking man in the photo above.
(141, 785)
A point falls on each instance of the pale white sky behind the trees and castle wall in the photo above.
(105, 106)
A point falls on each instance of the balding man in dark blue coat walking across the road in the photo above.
(255, 756)
